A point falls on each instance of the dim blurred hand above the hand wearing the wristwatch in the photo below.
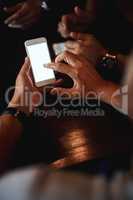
(77, 21)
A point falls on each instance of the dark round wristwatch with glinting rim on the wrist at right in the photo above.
(109, 61)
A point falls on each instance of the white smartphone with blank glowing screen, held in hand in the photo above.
(38, 53)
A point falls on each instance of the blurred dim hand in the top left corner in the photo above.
(24, 15)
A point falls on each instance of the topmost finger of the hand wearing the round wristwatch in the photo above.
(80, 36)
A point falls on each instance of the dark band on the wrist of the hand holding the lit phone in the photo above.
(15, 112)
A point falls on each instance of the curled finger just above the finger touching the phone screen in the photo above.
(67, 57)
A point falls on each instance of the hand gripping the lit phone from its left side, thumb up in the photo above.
(26, 96)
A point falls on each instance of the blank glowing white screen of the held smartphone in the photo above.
(39, 56)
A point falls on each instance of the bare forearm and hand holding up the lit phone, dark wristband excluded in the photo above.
(10, 125)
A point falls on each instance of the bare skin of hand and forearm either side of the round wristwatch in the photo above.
(88, 46)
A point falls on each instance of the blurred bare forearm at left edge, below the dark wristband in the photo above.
(10, 132)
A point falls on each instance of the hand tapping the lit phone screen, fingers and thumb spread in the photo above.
(83, 74)
